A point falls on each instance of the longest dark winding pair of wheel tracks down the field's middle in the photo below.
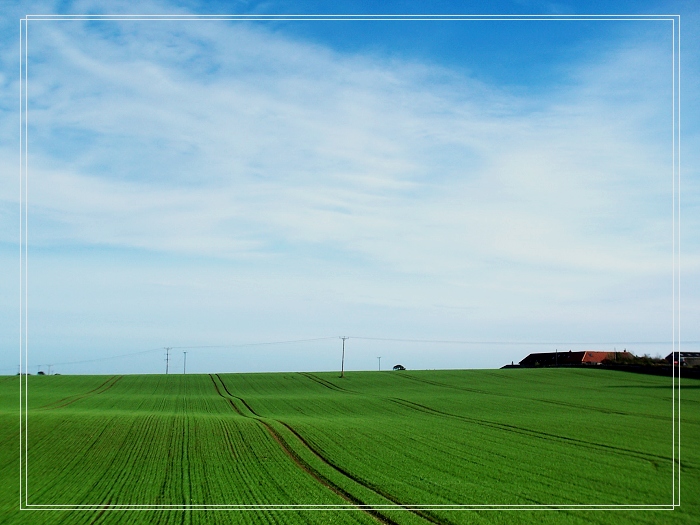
(320, 478)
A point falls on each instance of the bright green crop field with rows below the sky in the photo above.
(388, 445)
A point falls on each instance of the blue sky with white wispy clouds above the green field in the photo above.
(205, 185)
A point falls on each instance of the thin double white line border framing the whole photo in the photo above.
(23, 251)
